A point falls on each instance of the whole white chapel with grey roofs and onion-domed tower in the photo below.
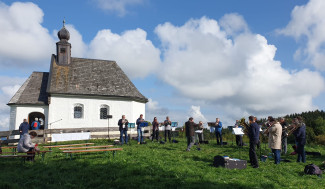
(76, 93)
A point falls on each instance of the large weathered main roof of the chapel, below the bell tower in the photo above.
(91, 77)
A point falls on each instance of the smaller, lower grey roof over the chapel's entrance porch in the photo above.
(33, 91)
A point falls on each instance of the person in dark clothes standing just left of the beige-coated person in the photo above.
(253, 134)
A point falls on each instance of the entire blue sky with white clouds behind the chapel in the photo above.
(207, 59)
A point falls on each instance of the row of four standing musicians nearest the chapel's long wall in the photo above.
(123, 128)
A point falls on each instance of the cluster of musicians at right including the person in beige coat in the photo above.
(277, 131)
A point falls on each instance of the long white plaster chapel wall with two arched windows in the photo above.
(62, 107)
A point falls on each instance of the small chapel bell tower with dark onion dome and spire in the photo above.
(63, 47)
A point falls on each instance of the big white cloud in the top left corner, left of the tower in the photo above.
(24, 41)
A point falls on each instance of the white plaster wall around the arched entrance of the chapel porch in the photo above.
(19, 113)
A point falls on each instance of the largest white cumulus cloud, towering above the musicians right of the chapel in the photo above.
(240, 72)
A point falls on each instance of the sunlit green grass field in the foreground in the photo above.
(155, 165)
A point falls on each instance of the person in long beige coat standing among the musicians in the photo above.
(275, 133)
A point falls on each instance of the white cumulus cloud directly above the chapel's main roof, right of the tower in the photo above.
(136, 55)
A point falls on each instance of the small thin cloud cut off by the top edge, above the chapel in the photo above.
(118, 6)
